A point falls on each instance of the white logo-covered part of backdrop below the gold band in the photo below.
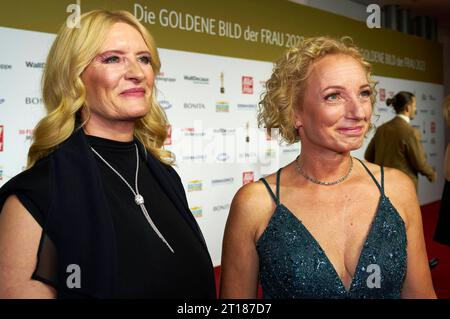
(211, 102)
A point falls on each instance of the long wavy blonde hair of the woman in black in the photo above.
(64, 93)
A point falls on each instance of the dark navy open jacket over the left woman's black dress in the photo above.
(79, 223)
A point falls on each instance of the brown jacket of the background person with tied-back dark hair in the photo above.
(397, 144)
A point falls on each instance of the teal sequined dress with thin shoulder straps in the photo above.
(293, 265)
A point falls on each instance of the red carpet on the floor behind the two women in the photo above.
(441, 273)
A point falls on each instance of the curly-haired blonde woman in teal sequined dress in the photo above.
(326, 225)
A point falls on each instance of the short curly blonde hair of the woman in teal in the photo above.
(286, 86)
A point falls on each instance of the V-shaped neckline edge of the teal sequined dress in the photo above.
(327, 260)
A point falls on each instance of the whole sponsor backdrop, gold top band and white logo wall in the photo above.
(216, 57)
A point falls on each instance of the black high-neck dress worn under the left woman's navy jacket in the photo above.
(146, 268)
